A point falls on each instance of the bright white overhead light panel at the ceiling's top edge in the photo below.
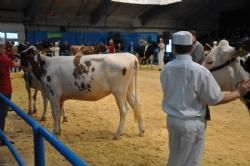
(148, 2)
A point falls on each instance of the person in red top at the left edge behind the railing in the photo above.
(5, 82)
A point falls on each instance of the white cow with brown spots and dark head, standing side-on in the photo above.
(88, 78)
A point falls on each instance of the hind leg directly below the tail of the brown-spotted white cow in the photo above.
(136, 108)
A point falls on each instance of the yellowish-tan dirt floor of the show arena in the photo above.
(91, 127)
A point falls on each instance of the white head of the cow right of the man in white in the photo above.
(219, 55)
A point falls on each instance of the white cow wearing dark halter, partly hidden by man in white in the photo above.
(224, 63)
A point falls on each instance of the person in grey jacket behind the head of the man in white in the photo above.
(197, 52)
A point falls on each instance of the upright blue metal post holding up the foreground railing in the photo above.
(38, 148)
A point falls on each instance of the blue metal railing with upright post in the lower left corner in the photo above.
(39, 135)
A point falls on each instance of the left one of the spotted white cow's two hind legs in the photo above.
(121, 102)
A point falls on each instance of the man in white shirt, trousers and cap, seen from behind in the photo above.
(187, 88)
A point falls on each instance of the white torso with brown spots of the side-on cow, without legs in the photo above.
(89, 77)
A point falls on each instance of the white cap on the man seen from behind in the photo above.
(183, 38)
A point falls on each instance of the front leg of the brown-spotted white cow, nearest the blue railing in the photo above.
(56, 114)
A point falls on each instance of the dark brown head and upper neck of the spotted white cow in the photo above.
(30, 57)
